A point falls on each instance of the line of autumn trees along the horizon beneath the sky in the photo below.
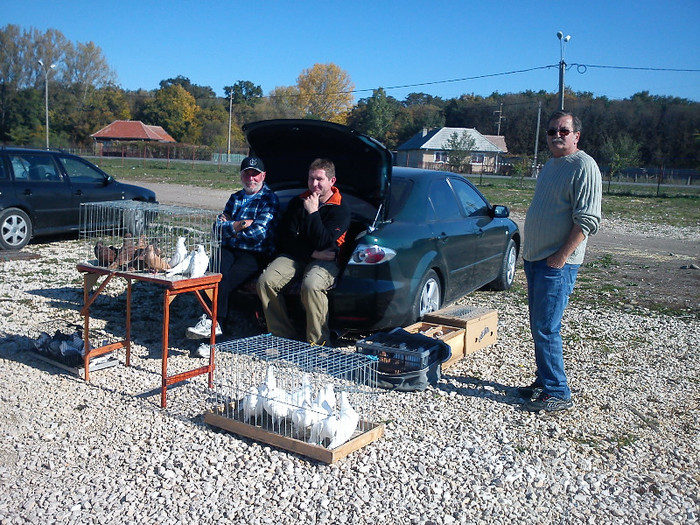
(646, 130)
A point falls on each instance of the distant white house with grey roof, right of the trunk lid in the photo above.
(427, 149)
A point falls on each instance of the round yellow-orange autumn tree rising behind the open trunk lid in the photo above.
(325, 93)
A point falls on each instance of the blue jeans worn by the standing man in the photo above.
(548, 291)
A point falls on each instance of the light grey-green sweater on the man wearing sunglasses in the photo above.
(568, 192)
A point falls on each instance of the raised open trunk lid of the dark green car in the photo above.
(288, 146)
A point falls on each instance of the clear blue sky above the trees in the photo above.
(419, 44)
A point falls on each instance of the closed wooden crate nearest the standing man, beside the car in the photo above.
(480, 325)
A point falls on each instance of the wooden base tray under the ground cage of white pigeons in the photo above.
(215, 418)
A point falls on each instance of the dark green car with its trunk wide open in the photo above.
(419, 238)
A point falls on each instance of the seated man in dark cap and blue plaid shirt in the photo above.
(247, 239)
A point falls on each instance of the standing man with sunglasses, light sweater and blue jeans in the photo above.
(565, 210)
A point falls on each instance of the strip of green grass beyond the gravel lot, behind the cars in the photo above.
(675, 205)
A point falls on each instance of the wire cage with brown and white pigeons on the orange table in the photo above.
(175, 242)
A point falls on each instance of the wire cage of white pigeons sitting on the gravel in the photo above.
(319, 395)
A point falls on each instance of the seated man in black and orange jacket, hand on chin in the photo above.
(311, 232)
